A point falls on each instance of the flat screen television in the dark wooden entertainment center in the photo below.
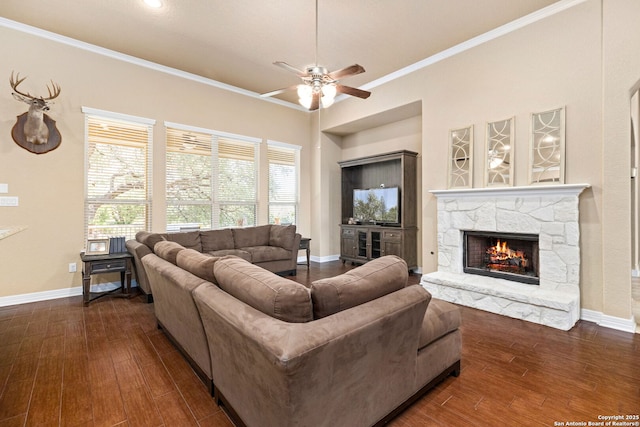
(377, 205)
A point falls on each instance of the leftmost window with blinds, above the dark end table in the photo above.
(117, 174)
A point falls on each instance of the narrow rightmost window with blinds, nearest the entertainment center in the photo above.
(283, 182)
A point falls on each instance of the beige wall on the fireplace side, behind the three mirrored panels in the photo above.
(560, 61)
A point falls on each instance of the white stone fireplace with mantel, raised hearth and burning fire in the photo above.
(525, 251)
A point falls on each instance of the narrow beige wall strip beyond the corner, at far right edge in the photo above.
(621, 74)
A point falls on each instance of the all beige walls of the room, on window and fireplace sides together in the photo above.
(583, 57)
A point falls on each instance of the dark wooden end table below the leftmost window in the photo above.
(110, 263)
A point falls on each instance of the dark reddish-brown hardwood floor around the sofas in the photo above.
(108, 364)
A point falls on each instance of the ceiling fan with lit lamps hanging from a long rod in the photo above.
(319, 86)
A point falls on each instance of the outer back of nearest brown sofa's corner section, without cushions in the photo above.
(275, 373)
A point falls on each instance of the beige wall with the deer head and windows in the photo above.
(50, 186)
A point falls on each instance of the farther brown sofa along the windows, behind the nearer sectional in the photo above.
(272, 247)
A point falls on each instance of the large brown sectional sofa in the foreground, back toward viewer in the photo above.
(355, 349)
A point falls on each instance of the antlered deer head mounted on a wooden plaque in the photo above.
(34, 130)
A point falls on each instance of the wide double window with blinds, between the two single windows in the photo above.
(211, 179)
